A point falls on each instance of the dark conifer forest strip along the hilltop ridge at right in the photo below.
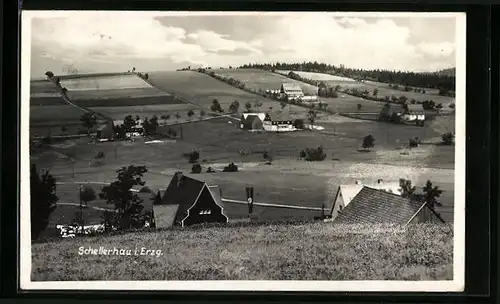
(436, 80)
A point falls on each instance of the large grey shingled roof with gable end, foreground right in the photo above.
(375, 206)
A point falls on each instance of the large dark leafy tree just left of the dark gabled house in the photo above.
(128, 205)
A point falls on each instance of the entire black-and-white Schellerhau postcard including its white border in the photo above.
(283, 151)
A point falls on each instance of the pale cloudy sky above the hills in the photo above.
(113, 41)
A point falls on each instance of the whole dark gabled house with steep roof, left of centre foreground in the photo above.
(188, 201)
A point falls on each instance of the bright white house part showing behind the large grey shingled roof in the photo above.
(346, 193)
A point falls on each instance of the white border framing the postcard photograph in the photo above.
(457, 284)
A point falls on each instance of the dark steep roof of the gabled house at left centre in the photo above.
(184, 191)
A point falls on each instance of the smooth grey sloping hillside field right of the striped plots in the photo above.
(201, 90)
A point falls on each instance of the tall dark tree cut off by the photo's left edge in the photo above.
(43, 200)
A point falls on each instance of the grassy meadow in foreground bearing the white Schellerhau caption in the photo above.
(310, 251)
